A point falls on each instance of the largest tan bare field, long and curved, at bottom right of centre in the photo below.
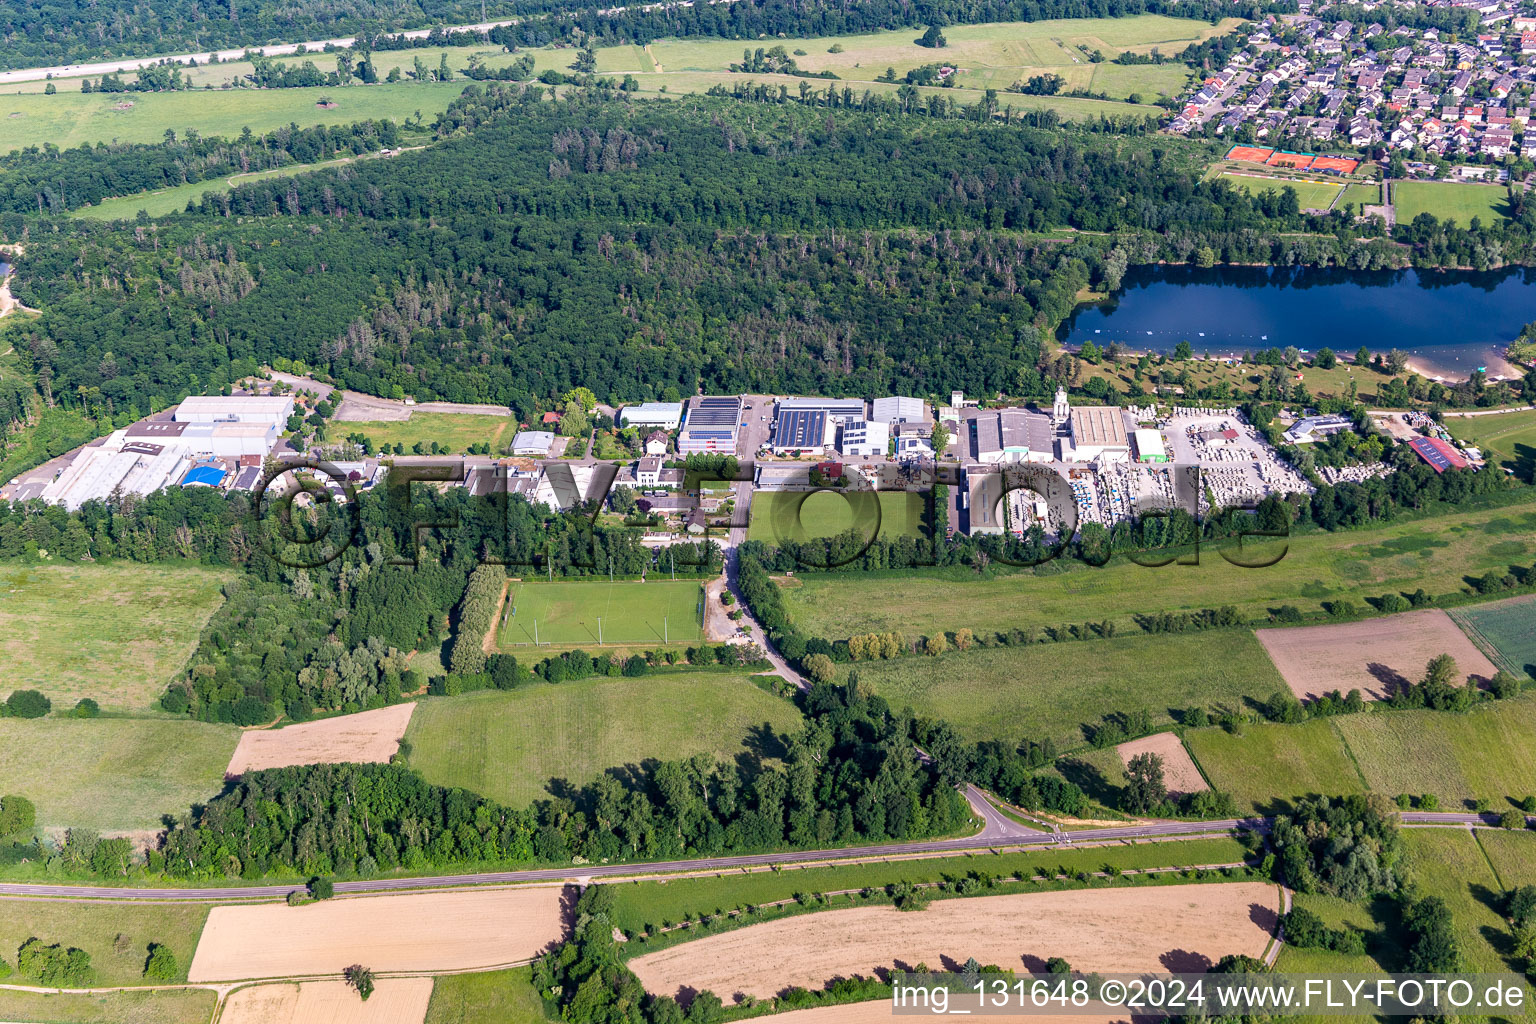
(1168, 928)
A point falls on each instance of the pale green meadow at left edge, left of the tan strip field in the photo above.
(113, 773)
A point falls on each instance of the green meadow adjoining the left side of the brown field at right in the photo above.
(1050, 690)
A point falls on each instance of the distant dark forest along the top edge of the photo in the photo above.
(74, 31)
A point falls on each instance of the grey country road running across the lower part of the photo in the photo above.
(998, 834)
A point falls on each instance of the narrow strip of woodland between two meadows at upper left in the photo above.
(50, 180)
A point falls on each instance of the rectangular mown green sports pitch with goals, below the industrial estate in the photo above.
(631, 613)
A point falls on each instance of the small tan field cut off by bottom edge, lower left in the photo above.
(394, 1002)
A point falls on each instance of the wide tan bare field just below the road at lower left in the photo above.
(434, 931)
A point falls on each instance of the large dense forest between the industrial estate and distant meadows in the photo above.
(640, 249)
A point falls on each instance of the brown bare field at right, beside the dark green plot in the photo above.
(1379, 656)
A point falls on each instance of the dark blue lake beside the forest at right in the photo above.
(1449, 323)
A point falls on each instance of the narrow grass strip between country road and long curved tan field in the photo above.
(643, 903)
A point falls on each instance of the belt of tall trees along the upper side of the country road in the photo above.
(849, 776)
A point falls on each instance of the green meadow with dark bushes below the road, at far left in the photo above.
(118, 936)
